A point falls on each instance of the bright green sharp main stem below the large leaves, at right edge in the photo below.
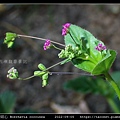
(113, 84)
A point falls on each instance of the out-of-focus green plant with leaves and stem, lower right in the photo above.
(97, 86)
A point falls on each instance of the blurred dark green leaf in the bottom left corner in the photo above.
(7, 102)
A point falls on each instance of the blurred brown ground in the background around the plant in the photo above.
(45, 21)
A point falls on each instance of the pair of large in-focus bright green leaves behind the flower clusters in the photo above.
(97, 62)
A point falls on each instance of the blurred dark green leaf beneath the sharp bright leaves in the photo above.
(86, 85)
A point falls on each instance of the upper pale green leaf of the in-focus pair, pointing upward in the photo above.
(84, 39)
